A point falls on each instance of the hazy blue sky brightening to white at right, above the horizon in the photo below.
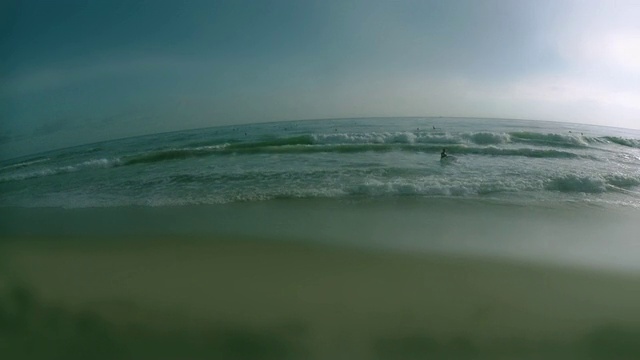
(75, 72)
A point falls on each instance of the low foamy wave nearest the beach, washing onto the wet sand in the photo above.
(223, 188)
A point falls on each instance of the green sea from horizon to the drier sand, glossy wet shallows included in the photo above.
(532, 190)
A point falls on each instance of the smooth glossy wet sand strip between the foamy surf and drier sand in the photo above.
(567, 235)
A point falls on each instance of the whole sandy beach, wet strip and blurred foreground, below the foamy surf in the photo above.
(289, 279)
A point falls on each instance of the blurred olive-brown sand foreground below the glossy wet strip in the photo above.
(256, 299)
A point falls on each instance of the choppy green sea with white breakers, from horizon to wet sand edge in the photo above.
(509, 161)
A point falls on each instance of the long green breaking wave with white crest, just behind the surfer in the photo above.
(464, 144)
